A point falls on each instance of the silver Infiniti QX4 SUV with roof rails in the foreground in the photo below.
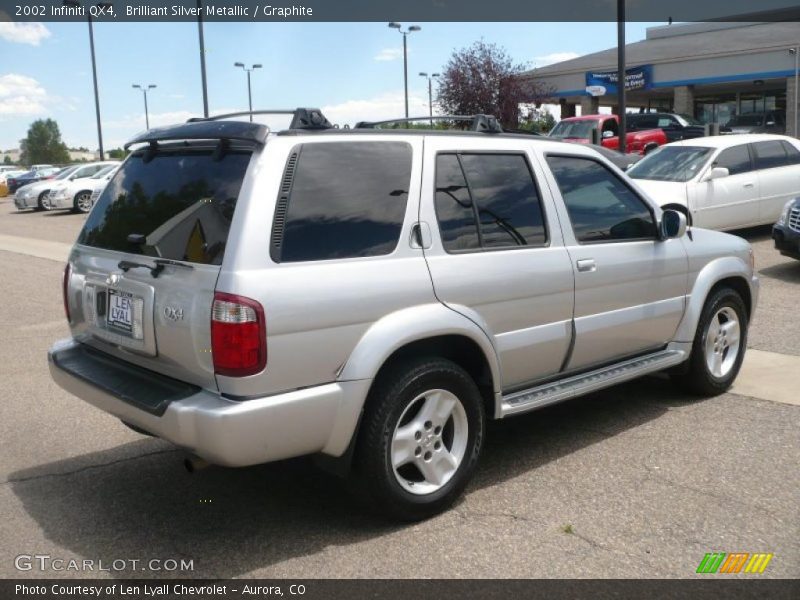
(374, 296)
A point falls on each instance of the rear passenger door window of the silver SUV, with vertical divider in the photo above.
(486, 201)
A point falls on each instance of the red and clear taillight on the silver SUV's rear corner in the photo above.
(238, 336)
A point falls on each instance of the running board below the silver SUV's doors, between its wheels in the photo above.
(578, 385)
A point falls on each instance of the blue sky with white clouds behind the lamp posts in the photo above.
(353, 71)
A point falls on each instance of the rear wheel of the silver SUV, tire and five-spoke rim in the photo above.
(421, 437)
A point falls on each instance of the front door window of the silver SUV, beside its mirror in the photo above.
(601, 207)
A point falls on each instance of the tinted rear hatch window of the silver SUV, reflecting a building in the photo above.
(181, 202)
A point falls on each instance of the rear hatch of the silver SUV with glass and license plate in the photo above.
(142, 275)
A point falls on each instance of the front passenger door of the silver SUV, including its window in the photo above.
(630, 287)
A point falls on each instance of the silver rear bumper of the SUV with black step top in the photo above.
(219, 430)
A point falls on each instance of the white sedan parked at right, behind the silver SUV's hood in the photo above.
(723, 182)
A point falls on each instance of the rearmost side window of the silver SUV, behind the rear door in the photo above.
(347, 200)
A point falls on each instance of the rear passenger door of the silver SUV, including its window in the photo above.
(497, 254)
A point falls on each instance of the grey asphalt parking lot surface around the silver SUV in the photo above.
(635, 481)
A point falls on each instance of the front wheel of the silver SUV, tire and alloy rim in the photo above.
(718, 347)
